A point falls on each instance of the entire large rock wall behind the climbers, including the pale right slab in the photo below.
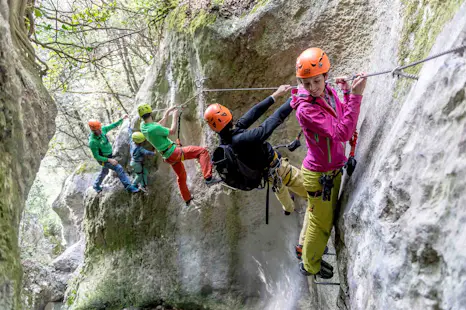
(399, 230)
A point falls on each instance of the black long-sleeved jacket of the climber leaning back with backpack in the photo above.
(250, 144)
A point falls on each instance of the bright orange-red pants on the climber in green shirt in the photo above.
(185, 153)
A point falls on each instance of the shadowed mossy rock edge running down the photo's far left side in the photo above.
(25, 130)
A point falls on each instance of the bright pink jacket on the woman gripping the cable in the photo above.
(326, 131)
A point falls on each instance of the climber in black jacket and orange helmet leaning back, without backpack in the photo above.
(252, 148)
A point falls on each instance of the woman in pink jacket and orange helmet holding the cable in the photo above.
(327, 124)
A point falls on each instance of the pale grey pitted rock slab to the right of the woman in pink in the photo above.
(401, 224)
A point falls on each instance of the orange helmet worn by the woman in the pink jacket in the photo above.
(312, 62)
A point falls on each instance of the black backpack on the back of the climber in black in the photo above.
(234, 172)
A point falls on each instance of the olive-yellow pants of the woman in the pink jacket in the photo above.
(318, 218)
